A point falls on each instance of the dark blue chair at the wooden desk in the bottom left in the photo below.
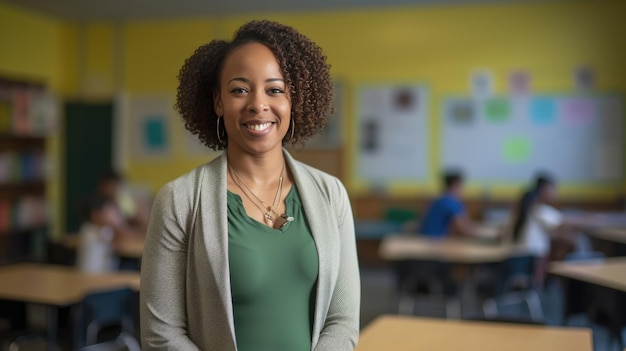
(104, 311)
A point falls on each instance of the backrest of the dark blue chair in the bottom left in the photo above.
(104, 309)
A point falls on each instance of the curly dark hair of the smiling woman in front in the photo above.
(301, 61)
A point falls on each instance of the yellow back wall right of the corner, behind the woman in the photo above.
(439, 45)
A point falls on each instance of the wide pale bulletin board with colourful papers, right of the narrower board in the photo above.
(578, 139)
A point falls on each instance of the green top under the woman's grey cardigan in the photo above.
(273, 275)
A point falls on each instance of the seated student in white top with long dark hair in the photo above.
(539, 227)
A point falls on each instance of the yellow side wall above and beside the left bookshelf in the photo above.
(42, 49)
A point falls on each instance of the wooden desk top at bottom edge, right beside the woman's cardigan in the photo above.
(408, 334)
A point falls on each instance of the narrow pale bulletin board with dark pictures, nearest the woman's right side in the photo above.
(391, 133)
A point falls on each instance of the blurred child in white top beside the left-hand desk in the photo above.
(97, 236)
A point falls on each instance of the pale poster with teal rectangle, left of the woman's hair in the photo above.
(150, 126)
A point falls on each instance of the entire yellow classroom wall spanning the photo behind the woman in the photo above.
(439, 45)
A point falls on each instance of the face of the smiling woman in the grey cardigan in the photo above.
(254, 100)
